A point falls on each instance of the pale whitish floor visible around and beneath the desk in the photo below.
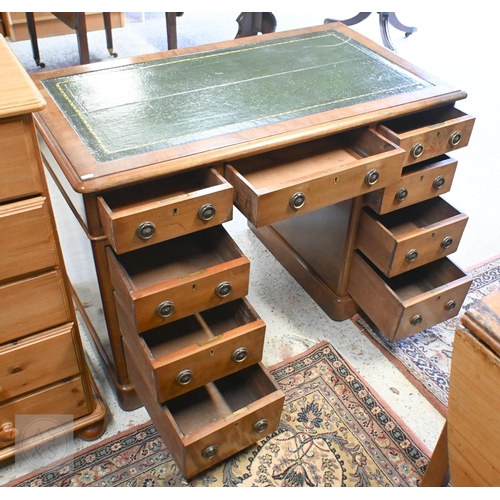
(450, 45)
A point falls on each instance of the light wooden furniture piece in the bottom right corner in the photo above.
(467, 452)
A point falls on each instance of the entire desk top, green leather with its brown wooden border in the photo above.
(126, 121)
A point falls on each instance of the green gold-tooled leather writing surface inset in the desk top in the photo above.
(138, 108)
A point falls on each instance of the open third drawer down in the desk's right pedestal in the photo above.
(411, 237)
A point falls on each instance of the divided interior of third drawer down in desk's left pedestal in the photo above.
(197, 329)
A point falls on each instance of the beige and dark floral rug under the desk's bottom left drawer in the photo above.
(334, 431)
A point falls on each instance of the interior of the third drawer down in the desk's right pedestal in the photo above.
(414, 217)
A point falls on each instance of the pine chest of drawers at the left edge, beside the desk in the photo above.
(43, 370)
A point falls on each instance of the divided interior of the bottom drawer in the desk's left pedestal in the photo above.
(197, 409)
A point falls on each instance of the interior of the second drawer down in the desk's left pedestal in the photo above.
(180, 257)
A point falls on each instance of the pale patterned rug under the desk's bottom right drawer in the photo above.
(425, 358)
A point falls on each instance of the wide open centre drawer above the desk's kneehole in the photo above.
(292, 181)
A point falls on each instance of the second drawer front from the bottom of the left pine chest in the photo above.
(37, 361)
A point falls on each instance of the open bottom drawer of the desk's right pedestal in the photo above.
(411, 302)
